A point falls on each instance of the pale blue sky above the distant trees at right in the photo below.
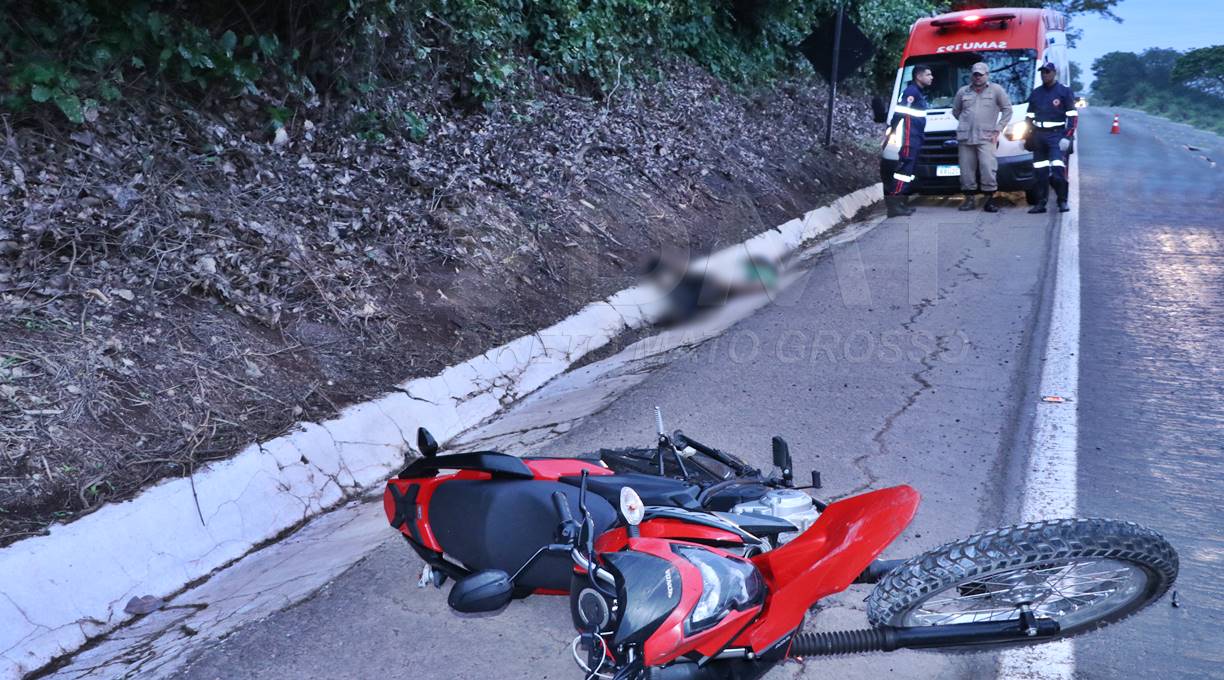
(1181, 25)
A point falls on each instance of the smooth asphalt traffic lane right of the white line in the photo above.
(1152, 376)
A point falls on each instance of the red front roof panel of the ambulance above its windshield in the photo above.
(1026, 31)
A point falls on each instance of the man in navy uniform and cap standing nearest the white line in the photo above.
(1053, 116)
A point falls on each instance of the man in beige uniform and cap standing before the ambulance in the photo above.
(982, 111)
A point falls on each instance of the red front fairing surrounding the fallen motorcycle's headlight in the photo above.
(670, 643)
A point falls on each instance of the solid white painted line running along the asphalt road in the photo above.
(1051, 484)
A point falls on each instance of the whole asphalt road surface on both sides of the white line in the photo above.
(909, 357)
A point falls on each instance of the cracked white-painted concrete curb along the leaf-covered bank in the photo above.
(58, 591)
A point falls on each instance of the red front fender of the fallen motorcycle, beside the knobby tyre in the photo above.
(827, 558)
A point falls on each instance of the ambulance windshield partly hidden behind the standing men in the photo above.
(1015, 70)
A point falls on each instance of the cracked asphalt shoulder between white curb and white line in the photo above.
(898, 359)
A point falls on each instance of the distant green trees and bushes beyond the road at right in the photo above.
(1184, 87)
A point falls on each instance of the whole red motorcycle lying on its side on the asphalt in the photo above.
(666, 593)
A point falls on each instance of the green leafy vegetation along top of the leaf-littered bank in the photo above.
(78, 56)
